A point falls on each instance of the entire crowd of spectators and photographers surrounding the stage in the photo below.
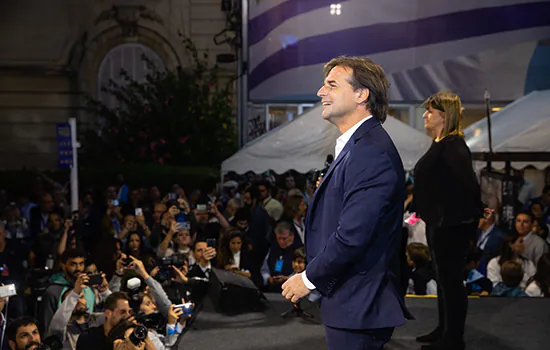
(133, 256)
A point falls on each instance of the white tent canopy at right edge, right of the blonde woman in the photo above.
(522, 126)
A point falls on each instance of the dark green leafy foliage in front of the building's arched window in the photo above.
(181, 117)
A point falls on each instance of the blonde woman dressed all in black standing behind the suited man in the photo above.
(448, 199)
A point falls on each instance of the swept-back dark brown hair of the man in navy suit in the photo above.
(366, 75)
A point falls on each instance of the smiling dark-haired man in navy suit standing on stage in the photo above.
(353, 224)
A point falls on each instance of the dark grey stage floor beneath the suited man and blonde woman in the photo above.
(493, 324)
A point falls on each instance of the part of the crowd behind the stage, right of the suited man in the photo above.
(500, 262)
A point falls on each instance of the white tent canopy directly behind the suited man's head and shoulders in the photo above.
(304, 143)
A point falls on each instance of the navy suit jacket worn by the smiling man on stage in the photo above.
(353, 233)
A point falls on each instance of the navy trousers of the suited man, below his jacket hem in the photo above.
(351, 339)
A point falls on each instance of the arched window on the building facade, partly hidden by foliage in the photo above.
(128, 57)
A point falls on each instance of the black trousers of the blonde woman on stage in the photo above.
(448, 248)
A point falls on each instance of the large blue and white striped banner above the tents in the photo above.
(424, 45)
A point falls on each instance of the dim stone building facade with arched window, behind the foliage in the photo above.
(53, 53)
